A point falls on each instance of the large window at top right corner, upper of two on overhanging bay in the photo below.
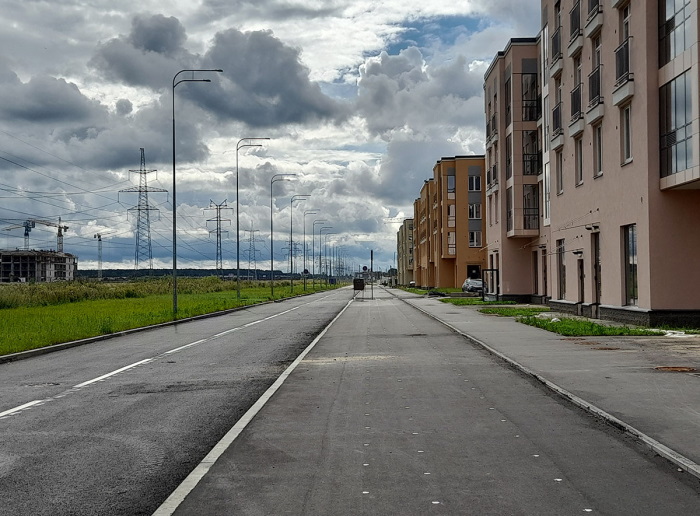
(676, 32)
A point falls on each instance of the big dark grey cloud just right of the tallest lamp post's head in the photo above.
(264, 82)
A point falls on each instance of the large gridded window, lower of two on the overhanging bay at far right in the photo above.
(676, 113)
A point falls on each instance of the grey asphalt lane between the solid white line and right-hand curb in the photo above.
(392, 414)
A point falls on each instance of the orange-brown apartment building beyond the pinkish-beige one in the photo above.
(449, 224)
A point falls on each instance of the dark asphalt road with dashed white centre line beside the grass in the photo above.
(112, 428)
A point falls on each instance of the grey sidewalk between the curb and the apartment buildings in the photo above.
(615, 377)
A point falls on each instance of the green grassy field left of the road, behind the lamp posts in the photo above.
(40, 315)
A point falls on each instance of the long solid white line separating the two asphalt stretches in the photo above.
(170, 505)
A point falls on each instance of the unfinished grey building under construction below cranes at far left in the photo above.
(39, 266)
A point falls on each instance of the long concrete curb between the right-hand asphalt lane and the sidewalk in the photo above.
(664, 451)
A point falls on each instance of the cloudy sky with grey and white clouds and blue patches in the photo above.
(359, 100)
